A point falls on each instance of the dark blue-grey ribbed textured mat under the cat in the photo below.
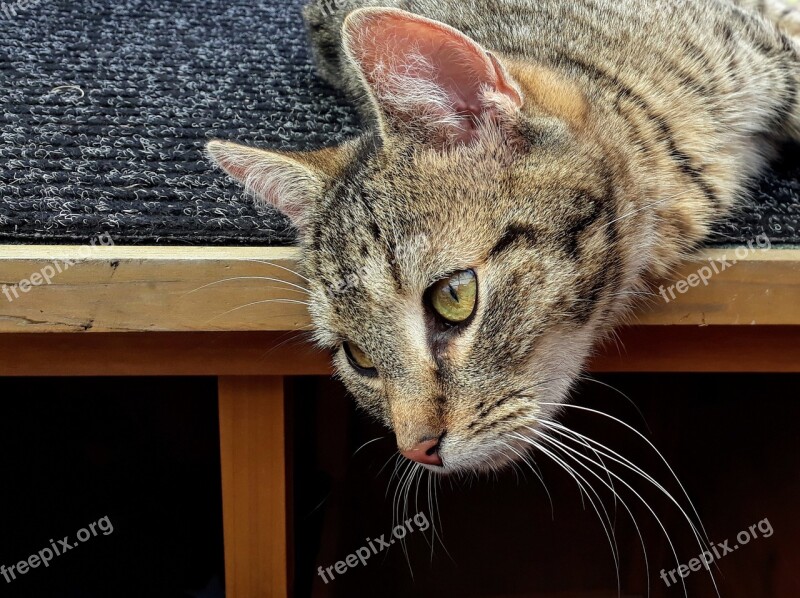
(105, 106)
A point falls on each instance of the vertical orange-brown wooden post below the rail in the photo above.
(252, 422)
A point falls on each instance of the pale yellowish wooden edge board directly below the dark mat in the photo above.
(208, 289)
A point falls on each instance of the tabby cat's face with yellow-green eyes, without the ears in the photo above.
(457, 307)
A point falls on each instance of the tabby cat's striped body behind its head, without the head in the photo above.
(685, 86)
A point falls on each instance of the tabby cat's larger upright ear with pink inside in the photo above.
(426, 77)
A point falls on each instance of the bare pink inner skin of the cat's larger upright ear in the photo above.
(387, 42)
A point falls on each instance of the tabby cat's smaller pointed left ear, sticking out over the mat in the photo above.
(291, 182)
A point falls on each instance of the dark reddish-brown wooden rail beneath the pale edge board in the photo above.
(756, 349)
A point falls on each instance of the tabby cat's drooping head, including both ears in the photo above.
(462, 256)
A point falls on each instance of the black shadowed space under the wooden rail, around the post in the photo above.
(145, 453)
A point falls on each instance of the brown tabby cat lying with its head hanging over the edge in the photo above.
(529, 168)
